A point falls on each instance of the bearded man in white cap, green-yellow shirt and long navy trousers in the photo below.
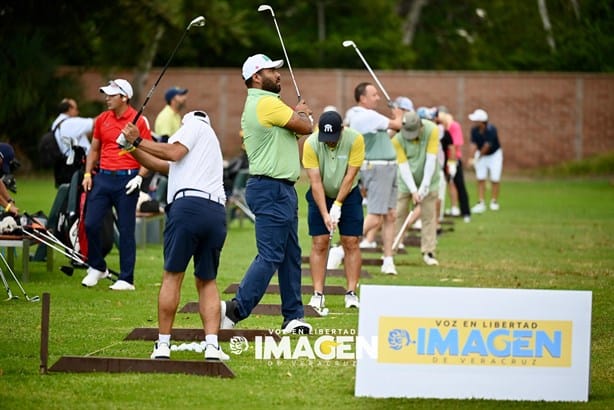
(270, 130)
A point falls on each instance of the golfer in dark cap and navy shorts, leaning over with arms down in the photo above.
(332, 157)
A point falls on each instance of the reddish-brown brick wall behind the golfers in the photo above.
(542, 118)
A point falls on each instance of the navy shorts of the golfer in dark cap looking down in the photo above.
(351, 220)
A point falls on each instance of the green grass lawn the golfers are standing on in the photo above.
(553, 234)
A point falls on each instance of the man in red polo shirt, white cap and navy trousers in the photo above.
(116, 184)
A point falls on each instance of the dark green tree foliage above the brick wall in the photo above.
(39, 37)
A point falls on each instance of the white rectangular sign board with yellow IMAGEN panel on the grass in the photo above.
(554, 381)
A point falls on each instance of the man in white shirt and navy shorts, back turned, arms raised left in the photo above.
(195, 222)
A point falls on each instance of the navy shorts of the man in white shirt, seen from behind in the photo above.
(195, 227)
